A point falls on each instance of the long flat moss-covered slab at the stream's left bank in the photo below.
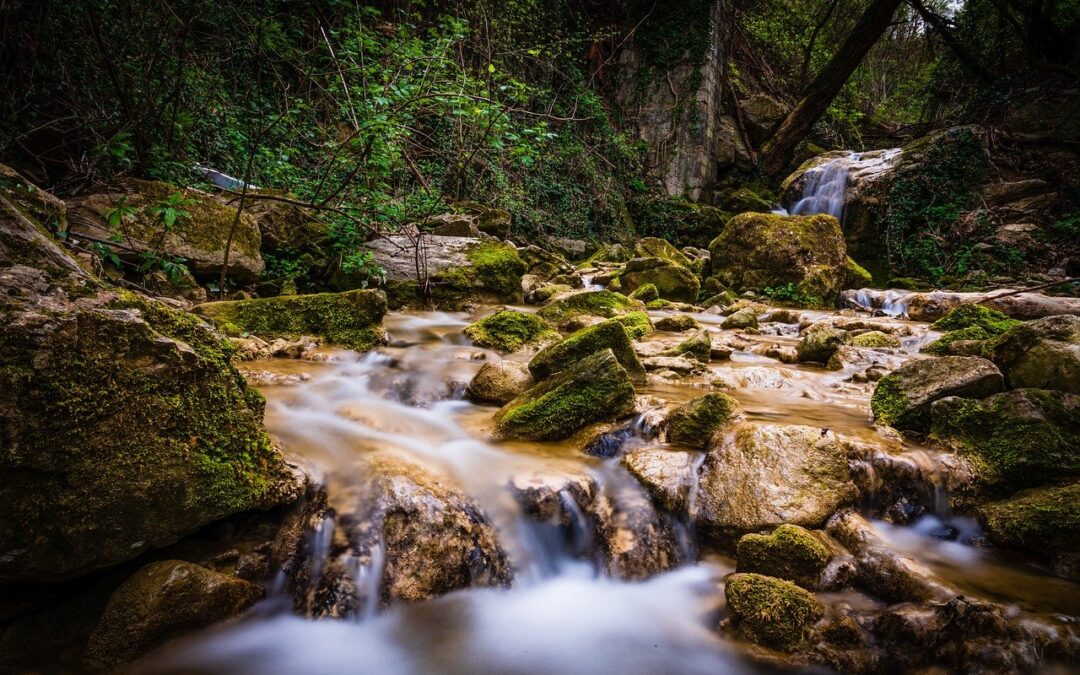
(353, 319)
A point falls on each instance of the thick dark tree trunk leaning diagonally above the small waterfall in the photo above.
(780, 148)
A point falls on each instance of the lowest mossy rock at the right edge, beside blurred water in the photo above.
(1044, 520)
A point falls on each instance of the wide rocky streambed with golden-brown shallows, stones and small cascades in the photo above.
(737, 510)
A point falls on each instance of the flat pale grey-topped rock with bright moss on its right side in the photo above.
(461, 271)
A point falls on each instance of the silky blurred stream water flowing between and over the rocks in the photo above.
(565, 613)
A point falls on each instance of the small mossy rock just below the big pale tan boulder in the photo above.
(790, 552)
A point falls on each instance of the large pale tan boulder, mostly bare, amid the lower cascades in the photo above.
(759, 477)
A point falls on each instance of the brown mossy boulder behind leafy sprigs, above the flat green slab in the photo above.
(199, 239)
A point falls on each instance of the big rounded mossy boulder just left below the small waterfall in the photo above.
(761, 251)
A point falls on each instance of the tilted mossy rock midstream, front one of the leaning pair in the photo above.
(598, 388)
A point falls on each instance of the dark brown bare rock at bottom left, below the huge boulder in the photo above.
(161, 602)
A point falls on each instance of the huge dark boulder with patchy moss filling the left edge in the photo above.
(124, 425)
